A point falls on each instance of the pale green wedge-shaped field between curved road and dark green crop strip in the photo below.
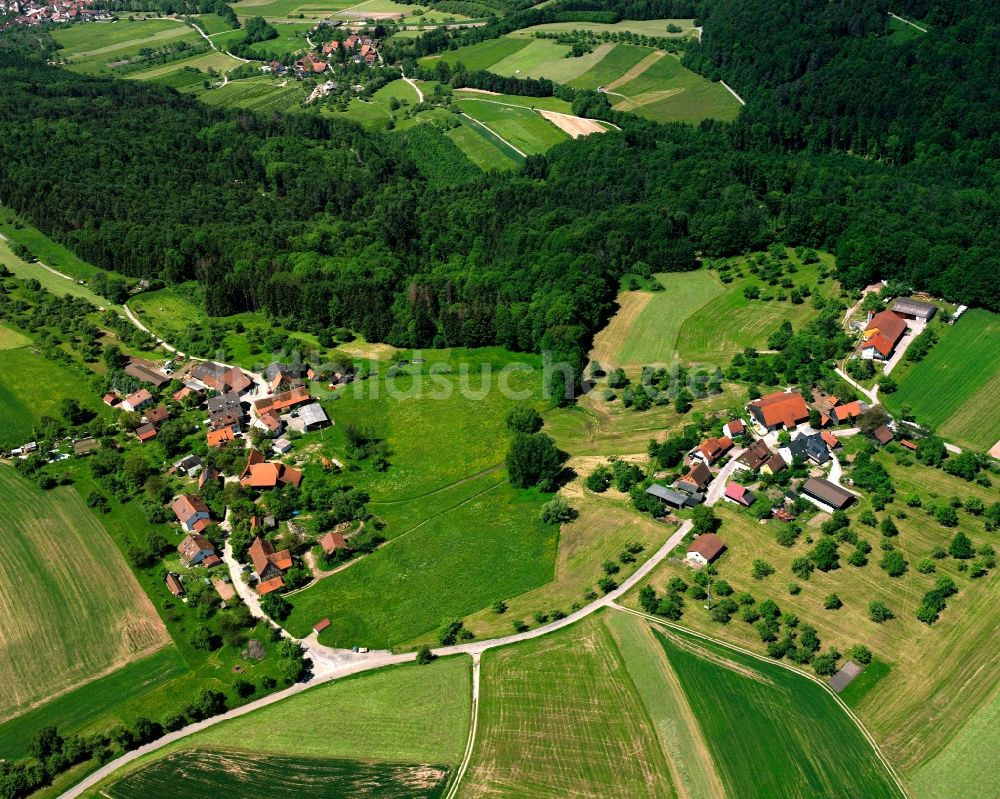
(404, 715)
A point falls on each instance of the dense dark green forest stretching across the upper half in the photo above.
(325, 225)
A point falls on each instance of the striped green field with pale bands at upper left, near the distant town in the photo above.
(94, 47)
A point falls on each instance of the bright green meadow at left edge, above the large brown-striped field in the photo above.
(32, 387)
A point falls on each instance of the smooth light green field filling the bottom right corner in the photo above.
(968, 765)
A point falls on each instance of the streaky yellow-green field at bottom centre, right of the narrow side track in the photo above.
(560, 716)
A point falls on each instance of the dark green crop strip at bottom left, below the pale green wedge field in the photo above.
(208, 774)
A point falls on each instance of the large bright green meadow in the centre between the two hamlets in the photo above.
(452, 519)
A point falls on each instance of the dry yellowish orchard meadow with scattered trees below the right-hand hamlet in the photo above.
(933, 680)
